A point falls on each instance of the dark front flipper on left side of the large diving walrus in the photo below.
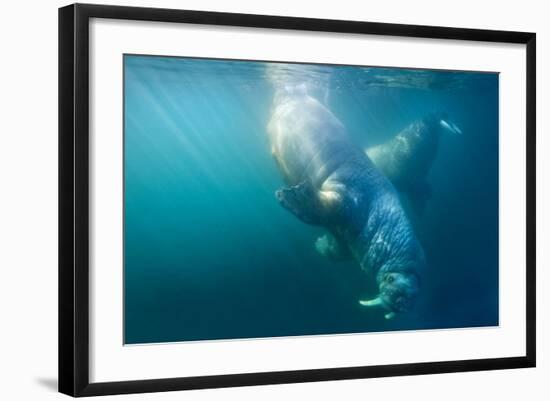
(303, 201)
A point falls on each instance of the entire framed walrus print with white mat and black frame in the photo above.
(249, 199)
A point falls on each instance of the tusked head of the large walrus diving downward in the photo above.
(398, 292)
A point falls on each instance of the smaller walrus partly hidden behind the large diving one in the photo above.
(407, 158)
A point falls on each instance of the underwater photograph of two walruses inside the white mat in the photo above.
(270, 199)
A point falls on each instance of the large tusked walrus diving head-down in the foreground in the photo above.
(332, 183)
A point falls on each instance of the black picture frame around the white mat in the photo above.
(74, 198)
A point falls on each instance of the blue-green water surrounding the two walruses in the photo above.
(210, 254)
